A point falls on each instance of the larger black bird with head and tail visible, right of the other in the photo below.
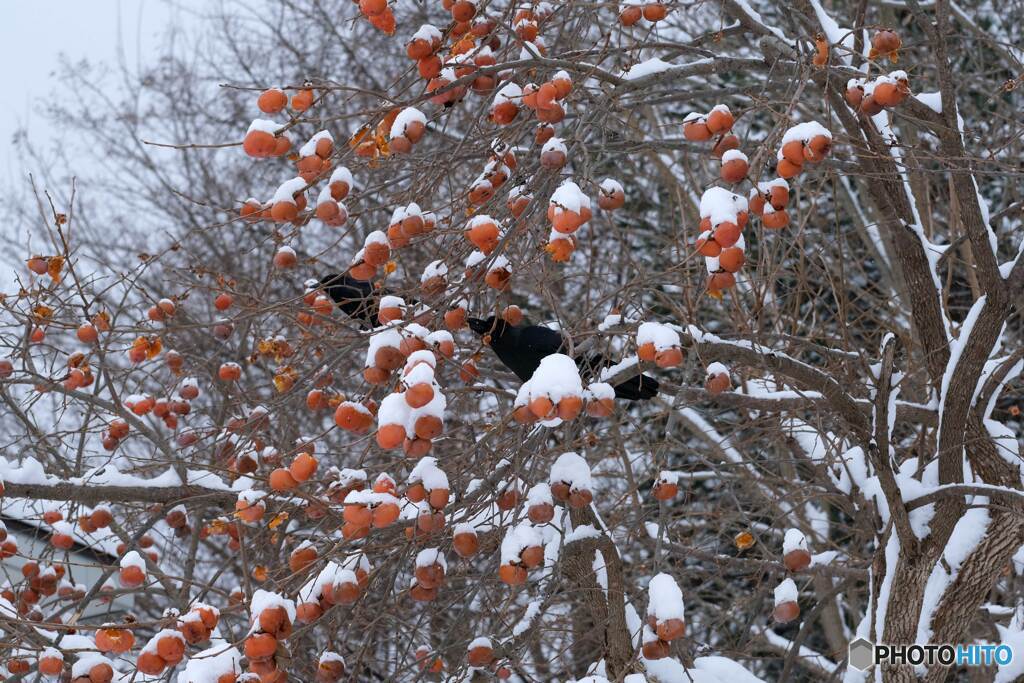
(522, 350)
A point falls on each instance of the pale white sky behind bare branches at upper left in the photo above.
(33, 36)
